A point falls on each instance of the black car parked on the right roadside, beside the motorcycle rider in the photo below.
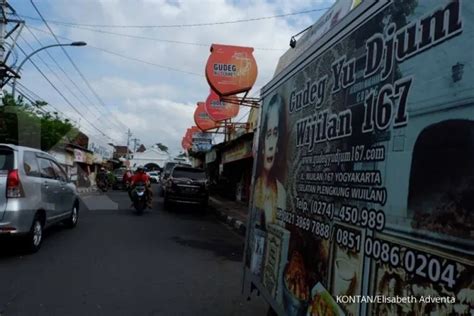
(186, 185)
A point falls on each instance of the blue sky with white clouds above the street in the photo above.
(149, 84)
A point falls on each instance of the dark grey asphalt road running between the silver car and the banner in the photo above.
(117, 263)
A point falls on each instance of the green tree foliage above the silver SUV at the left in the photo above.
(29, 124)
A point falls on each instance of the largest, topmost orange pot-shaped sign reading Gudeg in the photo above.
(231, 69)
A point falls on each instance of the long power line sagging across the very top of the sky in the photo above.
(65, 23)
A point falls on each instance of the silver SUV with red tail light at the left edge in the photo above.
(34, 194)
